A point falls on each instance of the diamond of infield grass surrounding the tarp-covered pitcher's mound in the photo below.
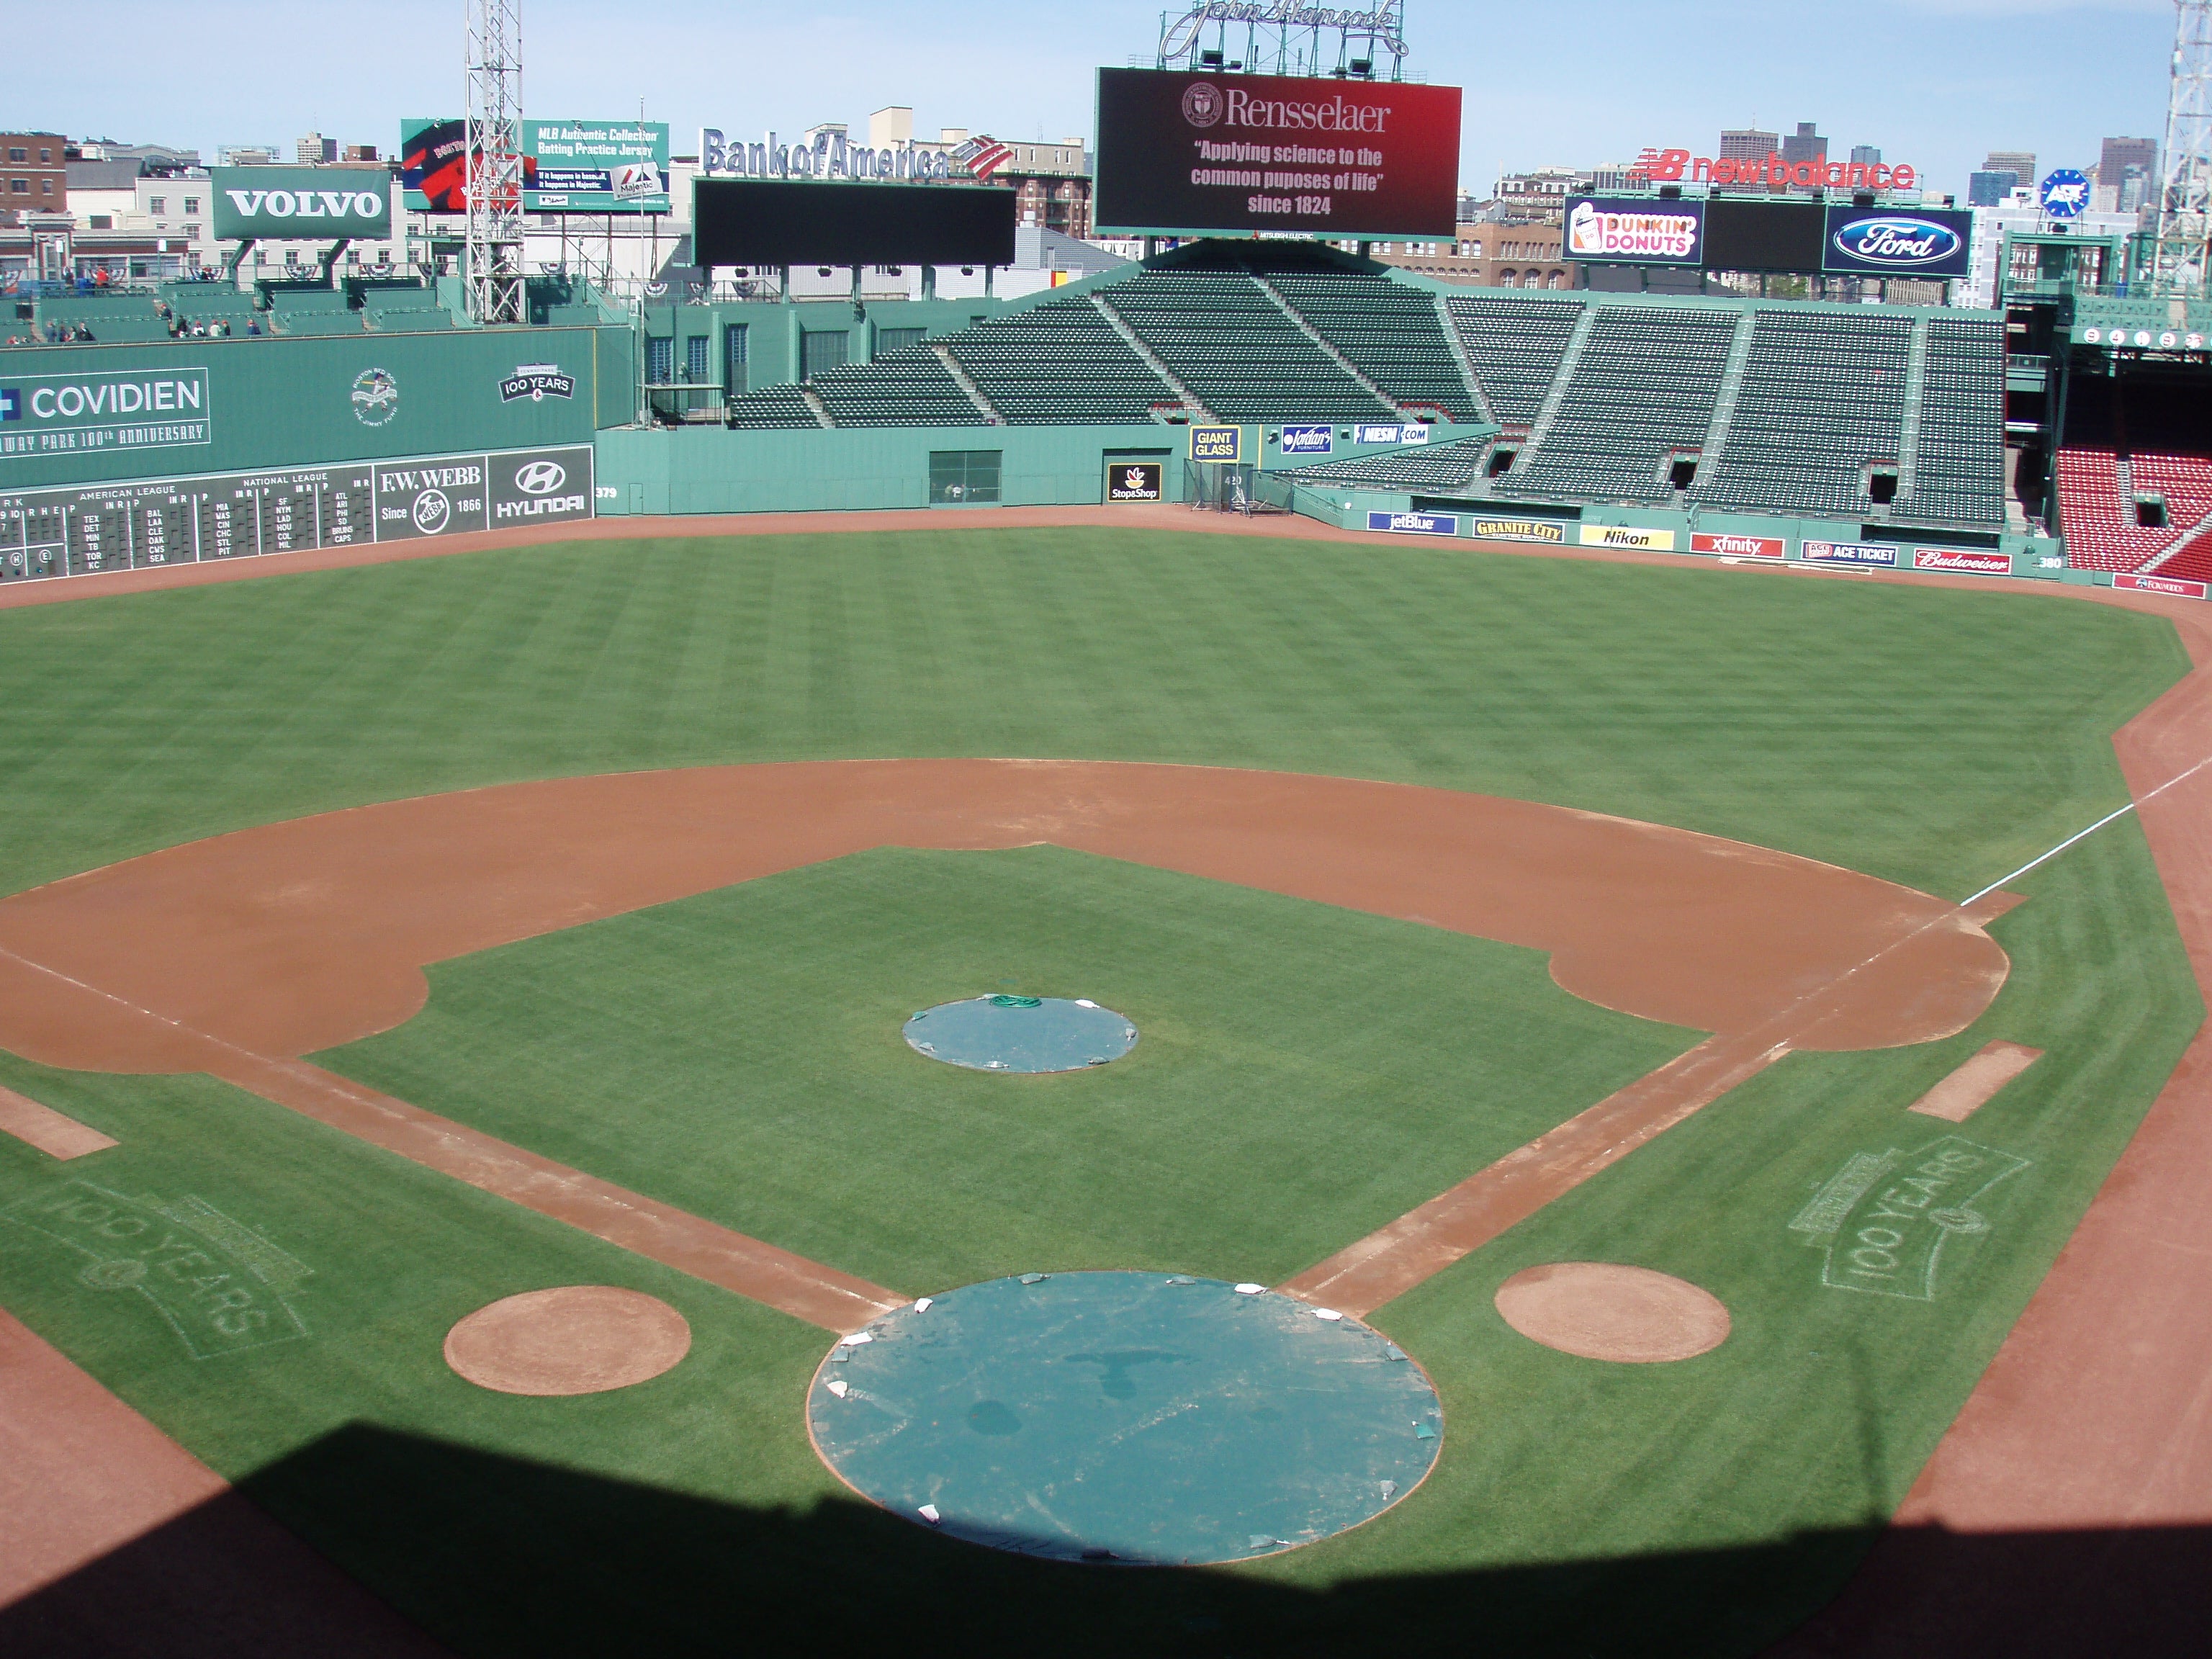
(1304, 1074)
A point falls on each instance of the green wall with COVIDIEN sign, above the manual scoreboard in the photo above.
(74, 415)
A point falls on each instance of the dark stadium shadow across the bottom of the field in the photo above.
(512, 1558)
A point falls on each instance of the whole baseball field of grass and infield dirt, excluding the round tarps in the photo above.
(437, 932)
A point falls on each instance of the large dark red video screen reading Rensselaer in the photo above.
(1337, 158)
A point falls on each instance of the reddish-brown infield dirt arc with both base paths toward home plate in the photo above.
(238, 954)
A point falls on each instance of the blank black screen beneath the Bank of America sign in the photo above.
(769, 222)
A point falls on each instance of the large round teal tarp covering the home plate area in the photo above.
(1125, 1417)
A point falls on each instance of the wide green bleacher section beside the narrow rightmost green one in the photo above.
(1824, 397)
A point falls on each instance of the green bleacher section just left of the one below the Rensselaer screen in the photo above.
(1063, 366)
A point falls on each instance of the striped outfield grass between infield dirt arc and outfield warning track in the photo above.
(1923, 735)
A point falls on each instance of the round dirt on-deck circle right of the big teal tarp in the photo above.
(1609, 1313)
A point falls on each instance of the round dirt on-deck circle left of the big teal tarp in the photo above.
(576, 1339)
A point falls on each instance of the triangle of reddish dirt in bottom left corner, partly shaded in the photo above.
(116, 1541)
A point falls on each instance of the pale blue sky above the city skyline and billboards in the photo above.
(1937, 83)
